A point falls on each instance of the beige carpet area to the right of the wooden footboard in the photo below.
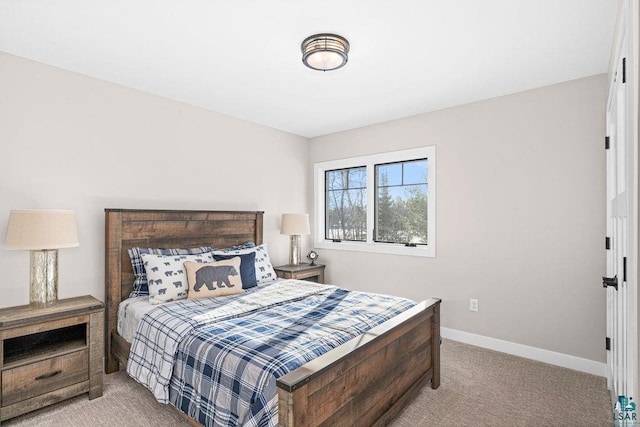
(481, 387)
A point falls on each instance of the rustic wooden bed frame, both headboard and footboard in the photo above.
(366, 381)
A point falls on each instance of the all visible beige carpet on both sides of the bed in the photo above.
(478, 388)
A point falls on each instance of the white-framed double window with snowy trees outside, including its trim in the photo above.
(379, 203)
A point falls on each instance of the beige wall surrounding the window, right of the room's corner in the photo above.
(520, 216)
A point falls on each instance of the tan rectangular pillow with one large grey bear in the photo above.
(214, 279)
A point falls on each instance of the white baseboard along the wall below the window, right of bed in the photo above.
(546, 356)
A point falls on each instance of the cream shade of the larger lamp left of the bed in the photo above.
(41, 229)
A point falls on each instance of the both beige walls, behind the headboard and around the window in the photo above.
(520, 193)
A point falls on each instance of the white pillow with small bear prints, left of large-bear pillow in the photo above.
(166, 276)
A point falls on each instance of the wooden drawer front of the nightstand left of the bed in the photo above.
(42, 377)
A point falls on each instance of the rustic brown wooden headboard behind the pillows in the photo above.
(128, 228)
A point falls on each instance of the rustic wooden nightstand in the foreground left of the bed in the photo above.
(50, 354)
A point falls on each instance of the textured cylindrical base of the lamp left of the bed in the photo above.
(43, 278)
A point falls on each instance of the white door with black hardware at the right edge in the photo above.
(620, 291)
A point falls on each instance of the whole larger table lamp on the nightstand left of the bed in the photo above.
(43, 232)
